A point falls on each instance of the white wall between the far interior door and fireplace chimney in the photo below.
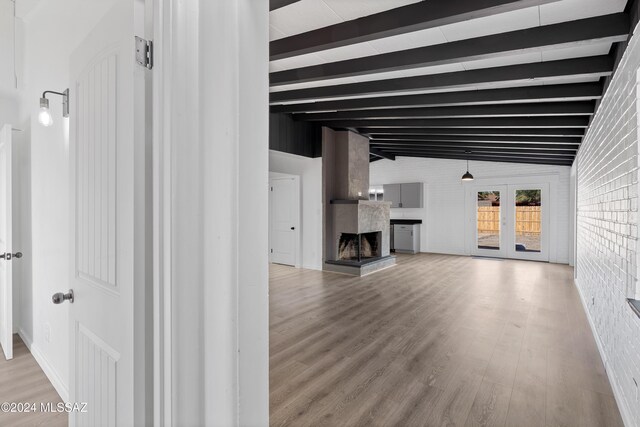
(310, 172)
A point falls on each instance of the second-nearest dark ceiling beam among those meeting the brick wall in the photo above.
(594, 66)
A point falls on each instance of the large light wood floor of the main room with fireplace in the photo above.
(437, 340)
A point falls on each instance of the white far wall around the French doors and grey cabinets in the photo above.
(443, 218)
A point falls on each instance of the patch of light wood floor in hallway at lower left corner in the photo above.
(22, 380)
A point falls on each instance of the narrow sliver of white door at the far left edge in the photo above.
(6, 275)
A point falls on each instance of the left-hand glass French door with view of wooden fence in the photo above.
(490, 216)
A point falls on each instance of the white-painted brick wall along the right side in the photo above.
(607, 230)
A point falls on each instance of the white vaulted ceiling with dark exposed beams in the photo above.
(497, 80)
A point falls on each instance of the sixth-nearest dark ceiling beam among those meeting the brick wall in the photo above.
(556, 132)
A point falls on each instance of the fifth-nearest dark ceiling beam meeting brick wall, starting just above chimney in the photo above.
(498, 122)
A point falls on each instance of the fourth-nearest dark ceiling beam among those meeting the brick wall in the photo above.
(583, 108)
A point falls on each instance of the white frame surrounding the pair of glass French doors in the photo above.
(552, 180)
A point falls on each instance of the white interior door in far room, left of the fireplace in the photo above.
(285, 220)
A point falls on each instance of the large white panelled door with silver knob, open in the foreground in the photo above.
(105, 260)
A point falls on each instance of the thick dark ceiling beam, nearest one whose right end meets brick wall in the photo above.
(601, 29)
